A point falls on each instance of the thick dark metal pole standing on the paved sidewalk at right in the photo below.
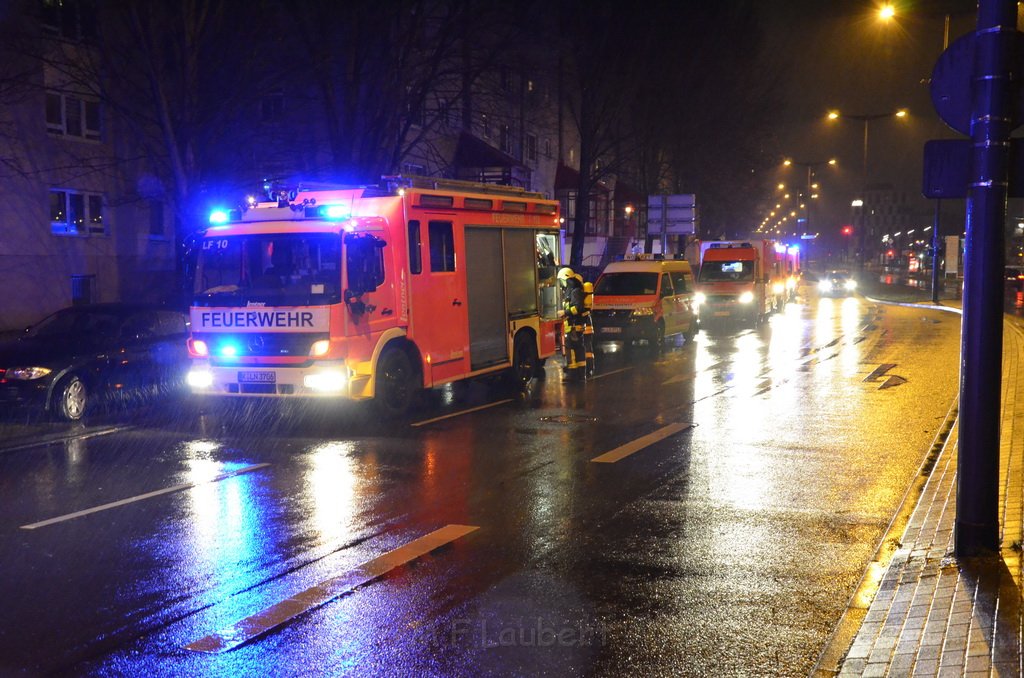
(977, 528)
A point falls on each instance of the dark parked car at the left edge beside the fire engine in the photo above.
(86, 356)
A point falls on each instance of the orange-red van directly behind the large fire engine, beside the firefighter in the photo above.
(645, 301)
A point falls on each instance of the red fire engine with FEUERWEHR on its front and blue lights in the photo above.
(375, 292)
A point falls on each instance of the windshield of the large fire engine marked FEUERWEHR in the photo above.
(279, 270)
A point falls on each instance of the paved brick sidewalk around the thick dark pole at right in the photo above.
(932, 615)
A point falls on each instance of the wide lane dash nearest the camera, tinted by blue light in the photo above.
(247, 629)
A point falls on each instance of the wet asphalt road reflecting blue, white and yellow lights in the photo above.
(757, 472)
